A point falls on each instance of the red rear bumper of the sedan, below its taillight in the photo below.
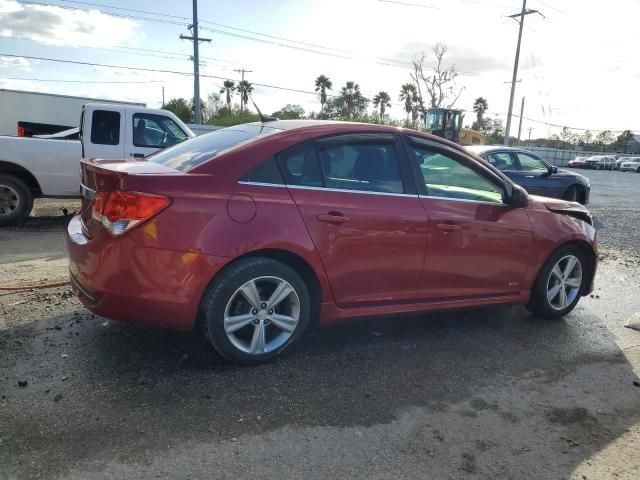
(119, 279)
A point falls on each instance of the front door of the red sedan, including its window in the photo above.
(477, 245)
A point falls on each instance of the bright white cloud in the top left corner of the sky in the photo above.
(58, 26)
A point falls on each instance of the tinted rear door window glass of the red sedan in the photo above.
(371, 167)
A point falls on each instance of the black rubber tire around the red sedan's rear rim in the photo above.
(225, 288)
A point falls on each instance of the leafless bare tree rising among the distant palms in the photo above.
(440, 82)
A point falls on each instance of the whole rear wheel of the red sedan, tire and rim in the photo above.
(255, 310)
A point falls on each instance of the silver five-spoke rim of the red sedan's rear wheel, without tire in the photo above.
(262, 315)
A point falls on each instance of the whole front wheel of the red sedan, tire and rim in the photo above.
(559, 285)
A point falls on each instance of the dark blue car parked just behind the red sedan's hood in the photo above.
(534, 174)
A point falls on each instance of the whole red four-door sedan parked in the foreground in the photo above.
(254, 232)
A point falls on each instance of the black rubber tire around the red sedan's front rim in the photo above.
(539, 304)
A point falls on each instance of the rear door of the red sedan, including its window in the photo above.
(359, 203)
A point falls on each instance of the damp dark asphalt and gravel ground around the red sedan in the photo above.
(486, 393)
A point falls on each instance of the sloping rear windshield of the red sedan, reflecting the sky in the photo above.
(190, 154)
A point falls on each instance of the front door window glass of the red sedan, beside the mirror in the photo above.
(445, 177)
